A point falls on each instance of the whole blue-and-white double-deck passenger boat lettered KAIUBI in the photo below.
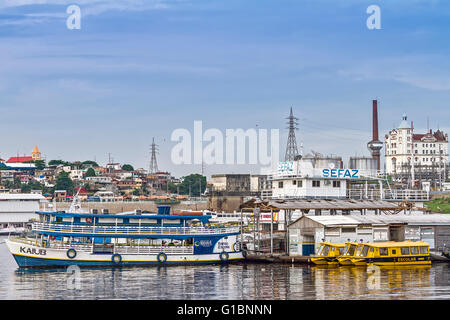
(82, 239)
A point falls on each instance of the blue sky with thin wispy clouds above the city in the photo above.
(139, 69)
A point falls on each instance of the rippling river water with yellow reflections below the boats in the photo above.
(223, 282)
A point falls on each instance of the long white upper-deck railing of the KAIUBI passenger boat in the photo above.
(130, 230)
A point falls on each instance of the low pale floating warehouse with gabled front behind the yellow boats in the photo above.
(307, 232)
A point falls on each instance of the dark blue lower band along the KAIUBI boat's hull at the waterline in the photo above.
(29, 262)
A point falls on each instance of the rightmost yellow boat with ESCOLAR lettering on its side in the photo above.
(393, 253)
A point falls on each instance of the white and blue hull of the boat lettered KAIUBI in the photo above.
(28, 256)
